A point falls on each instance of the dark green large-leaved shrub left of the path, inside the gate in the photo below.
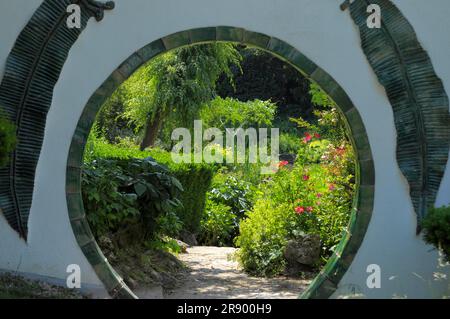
(131, 194)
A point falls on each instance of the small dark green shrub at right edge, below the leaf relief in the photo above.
(436, 226)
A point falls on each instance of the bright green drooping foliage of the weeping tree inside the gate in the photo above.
(170, 89)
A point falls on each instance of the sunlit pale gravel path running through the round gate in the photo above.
(214, 275)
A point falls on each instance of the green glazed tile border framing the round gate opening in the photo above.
(325, 284)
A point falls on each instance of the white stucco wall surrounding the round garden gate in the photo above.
(319, 30)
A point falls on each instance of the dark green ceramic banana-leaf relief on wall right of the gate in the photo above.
(418, 98)
